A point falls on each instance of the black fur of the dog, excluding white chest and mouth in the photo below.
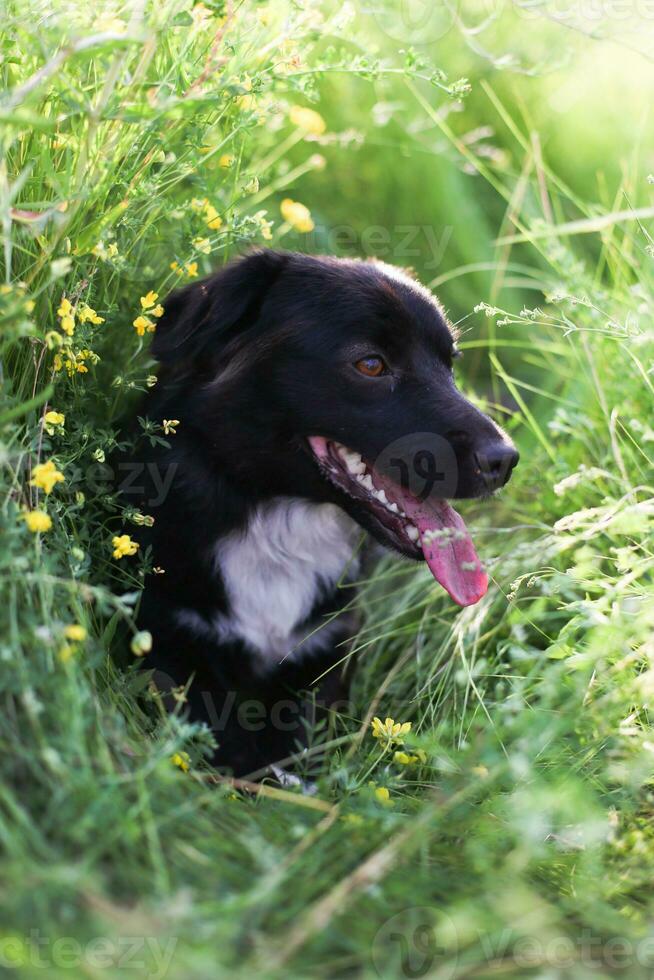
(255, 359)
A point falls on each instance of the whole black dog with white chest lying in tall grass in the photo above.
(315, 397)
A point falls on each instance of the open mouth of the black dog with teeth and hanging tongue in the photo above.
(429, 529)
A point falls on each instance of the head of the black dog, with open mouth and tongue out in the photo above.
(332, 379)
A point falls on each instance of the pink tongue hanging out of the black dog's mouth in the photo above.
(447, 547)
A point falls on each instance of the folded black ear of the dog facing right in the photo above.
(212, 310)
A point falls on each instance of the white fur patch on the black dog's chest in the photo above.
(291, 554)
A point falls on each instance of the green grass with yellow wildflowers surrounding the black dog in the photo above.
(520, 842)
